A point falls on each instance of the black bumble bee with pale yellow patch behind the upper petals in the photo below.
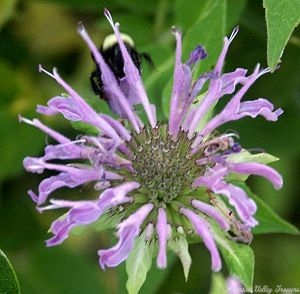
(111, 52)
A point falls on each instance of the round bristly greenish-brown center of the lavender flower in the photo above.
(163, 165)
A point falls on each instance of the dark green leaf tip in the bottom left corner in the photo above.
(8, 280)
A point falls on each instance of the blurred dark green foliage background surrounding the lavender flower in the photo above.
(34, 32)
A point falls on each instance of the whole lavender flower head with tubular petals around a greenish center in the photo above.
(164, 182)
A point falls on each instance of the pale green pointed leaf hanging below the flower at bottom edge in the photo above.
(138, 264)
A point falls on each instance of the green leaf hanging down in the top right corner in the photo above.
(282, 17)
